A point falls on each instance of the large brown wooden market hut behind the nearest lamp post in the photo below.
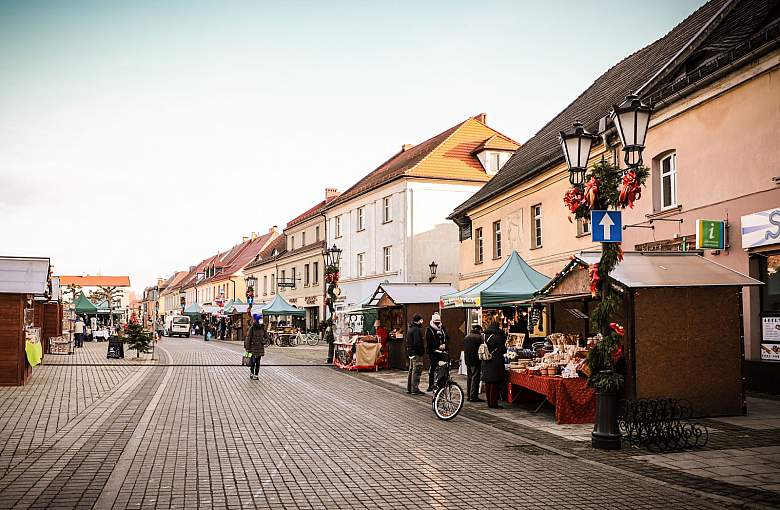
(683, 324)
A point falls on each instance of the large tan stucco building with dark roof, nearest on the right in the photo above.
(711, 148)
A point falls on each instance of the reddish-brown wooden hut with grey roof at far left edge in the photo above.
(21, 279)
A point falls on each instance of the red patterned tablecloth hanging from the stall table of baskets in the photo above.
(574, 402)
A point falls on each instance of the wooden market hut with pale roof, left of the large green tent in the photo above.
(397, 303)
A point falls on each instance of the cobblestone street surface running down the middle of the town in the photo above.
(202, 434)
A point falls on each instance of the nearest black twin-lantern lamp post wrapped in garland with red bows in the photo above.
(602, 187)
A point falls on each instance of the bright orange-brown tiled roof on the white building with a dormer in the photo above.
(447, 155)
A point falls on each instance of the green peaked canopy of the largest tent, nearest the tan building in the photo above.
(515, 280)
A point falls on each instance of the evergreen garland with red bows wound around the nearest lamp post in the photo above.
(606, 187)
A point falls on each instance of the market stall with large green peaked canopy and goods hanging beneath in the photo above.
(496, 300)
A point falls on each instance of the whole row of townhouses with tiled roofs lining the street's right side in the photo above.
(468, 197)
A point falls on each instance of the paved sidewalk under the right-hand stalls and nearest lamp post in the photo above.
(741, 460)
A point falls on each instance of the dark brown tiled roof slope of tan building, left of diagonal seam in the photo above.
(636, 70)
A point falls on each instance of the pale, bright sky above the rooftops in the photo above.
(141, 137)
